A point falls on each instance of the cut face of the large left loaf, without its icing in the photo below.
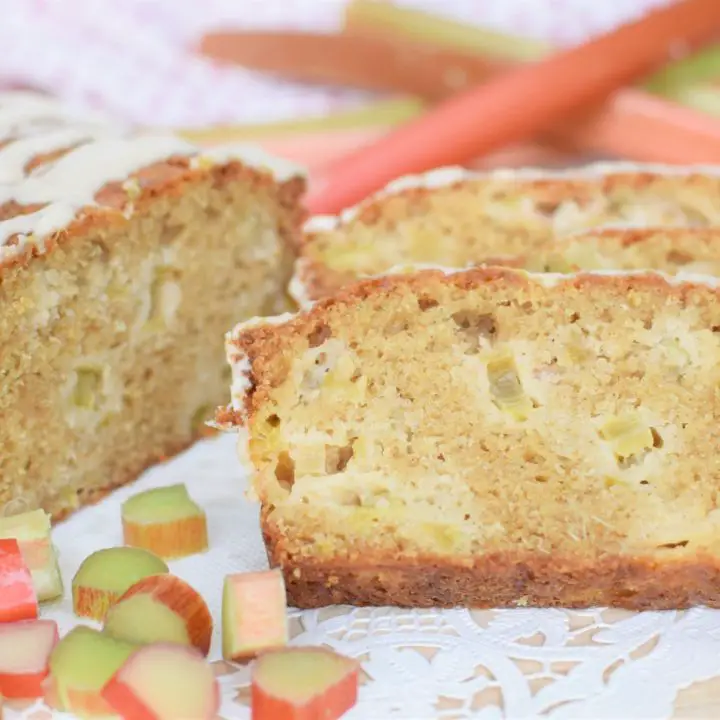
(120, 328)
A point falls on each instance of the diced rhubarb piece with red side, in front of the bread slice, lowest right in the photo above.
(303, 683)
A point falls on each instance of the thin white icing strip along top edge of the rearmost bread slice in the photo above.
(445, 176)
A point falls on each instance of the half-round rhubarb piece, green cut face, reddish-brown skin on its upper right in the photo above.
(161, 608)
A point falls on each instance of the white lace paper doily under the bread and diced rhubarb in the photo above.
(446, 664)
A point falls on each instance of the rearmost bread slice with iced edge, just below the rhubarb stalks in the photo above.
(454, 218)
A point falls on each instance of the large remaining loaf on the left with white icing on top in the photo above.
(124, 257)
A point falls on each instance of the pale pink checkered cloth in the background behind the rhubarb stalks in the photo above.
(135, 58)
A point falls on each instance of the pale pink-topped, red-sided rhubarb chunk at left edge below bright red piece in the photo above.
(25, 649)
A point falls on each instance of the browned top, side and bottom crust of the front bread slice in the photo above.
(661, 578)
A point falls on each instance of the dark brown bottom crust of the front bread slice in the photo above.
(498, 580)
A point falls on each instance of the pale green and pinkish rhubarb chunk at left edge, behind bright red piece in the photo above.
(32, 531)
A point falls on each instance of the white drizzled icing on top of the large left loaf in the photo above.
(84, 157)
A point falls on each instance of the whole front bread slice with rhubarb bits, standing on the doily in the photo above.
(489, 437)
